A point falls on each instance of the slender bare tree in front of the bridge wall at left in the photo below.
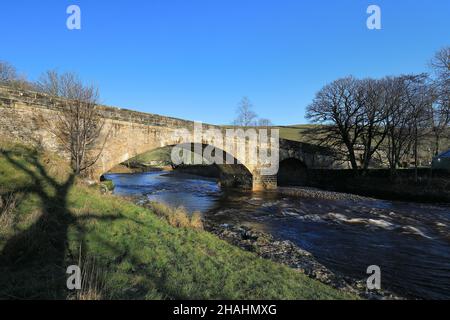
(79, 123)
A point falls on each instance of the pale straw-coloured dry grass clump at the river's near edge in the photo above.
(178, 217)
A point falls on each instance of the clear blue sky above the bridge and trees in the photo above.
(195, 59)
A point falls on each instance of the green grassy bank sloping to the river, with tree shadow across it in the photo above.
(126, 251)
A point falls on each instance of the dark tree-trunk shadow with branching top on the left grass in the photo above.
(33, 262)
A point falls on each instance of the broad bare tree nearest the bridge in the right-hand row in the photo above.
(353, 112)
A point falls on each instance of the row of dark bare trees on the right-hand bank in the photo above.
(387, 118)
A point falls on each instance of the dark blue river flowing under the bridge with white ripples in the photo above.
(410, 242)
